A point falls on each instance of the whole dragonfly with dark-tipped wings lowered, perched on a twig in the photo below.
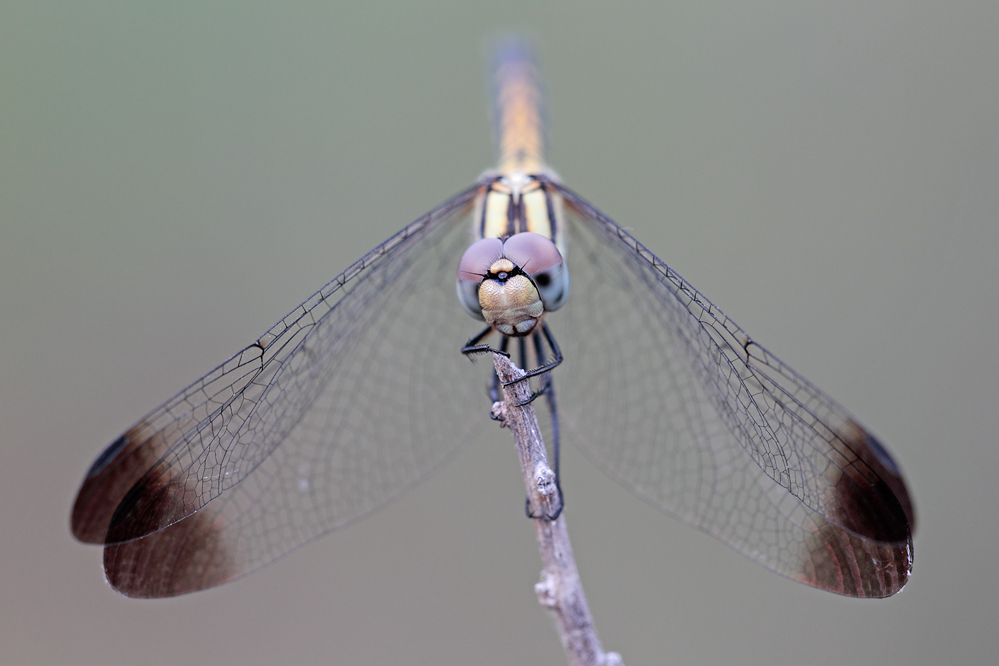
(364, 390)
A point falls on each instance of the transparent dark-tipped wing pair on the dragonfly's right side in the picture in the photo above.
(673, 400)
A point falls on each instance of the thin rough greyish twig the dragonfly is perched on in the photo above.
(560, 589)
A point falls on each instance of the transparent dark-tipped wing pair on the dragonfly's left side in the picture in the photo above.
(338, 409)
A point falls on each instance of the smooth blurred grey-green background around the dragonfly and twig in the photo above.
(173, 179)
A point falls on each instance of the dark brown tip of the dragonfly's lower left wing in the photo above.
(188, 556)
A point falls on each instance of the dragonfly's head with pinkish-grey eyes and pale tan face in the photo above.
(510, 283)
